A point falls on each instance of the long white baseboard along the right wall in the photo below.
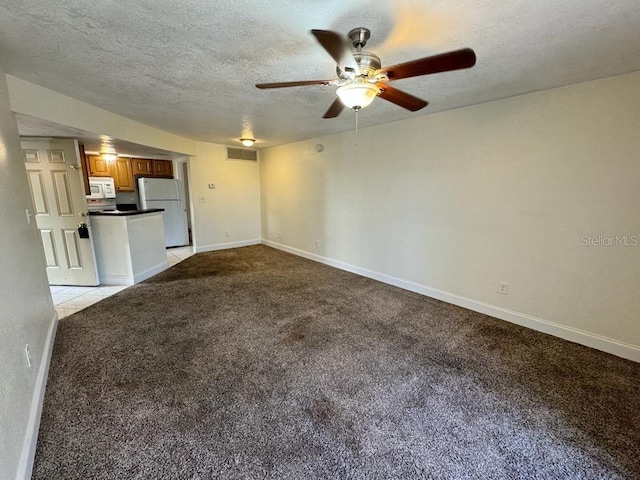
(583, 337)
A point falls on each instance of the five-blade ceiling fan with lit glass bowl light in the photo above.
(361, 77)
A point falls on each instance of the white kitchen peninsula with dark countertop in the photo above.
(129, 245)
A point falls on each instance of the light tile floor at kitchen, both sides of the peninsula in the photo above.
(68, 300)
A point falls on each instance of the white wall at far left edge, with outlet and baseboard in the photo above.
(26, 310)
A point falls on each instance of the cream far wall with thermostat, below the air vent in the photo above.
(229, 215)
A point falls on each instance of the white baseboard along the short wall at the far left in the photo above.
(25, 465)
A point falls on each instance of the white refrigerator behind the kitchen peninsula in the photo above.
(165, 193)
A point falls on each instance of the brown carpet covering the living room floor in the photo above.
(253, 363)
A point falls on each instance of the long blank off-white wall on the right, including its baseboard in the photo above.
(450, 204)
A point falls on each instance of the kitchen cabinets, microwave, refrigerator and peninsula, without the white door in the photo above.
(137, 210)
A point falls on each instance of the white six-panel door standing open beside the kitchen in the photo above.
(60, 206)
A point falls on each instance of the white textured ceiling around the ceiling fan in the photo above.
(189, 66)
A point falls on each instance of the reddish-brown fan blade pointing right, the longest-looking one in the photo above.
(444, 62)
